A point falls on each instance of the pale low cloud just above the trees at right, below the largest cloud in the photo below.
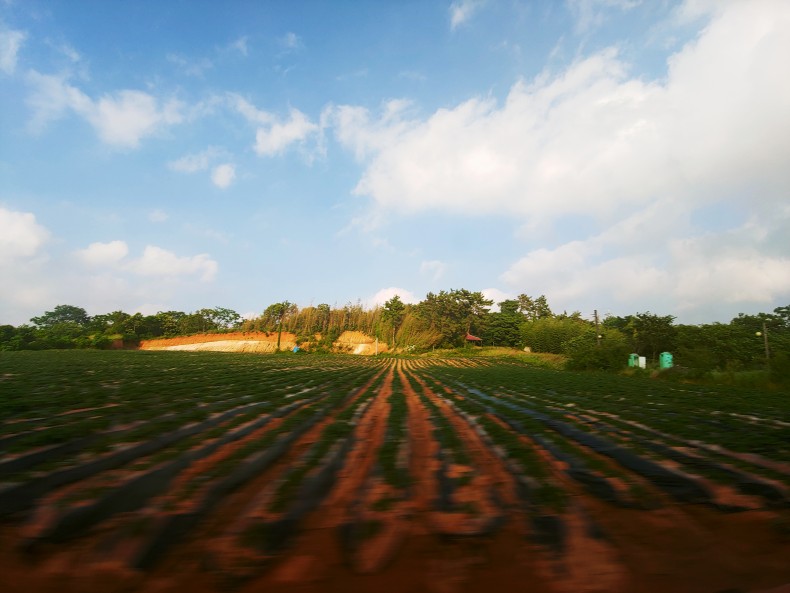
(683, 271)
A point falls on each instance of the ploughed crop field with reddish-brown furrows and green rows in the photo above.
(166, 471)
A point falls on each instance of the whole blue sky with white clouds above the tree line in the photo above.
(622, 156)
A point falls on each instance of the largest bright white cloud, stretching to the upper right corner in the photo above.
(590, 140)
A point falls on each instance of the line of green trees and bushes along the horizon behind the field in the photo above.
(441, 320)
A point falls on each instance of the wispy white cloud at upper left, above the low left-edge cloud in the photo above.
(120, 119)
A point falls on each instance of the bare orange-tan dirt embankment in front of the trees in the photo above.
(263, 342)
